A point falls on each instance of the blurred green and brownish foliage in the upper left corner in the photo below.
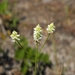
(10, 19)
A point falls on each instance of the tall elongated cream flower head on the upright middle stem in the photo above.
(37, 33)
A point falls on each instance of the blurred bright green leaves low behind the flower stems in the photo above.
(28, 58)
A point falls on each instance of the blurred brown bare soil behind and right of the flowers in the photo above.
(43, 12)
